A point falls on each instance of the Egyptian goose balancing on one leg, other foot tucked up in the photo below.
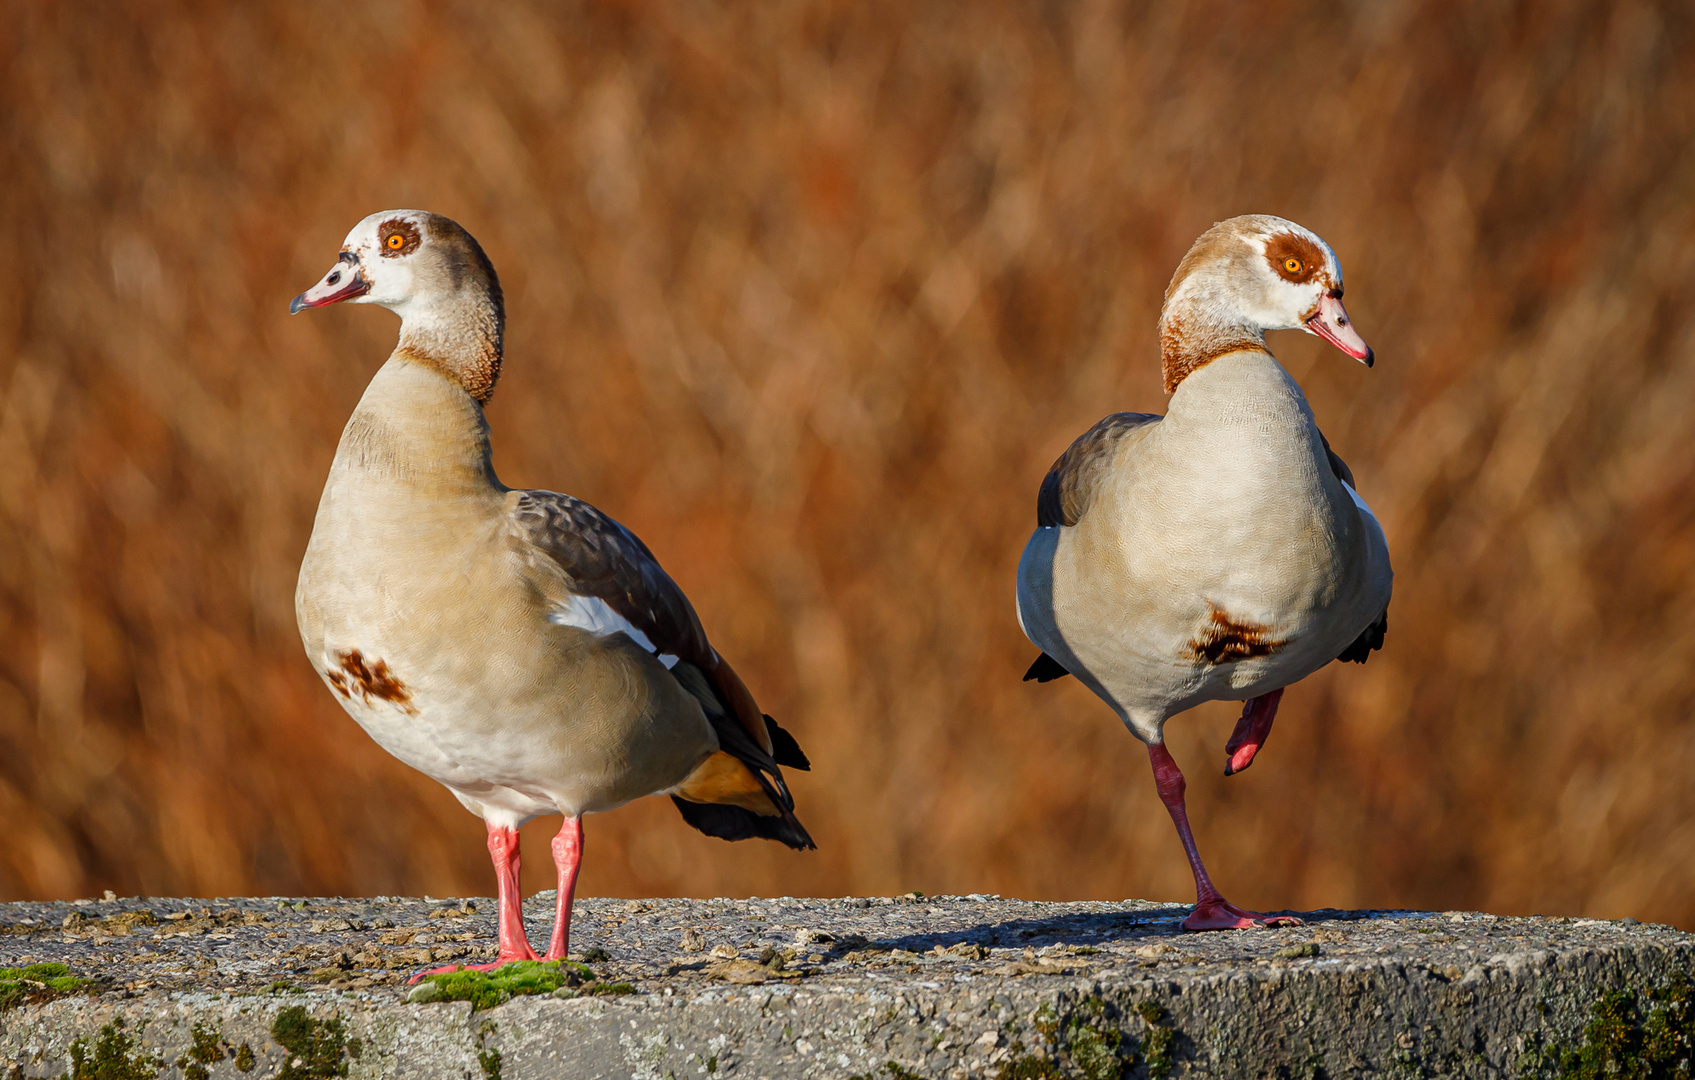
(1218, 552)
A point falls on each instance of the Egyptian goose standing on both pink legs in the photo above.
(523, 649)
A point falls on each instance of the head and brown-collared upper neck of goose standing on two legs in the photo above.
(435, 276)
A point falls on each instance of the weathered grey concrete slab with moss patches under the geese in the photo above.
(891, 988)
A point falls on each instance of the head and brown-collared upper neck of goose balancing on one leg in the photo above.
(1245, 277)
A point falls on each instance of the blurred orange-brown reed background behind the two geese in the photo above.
(811, 296)
